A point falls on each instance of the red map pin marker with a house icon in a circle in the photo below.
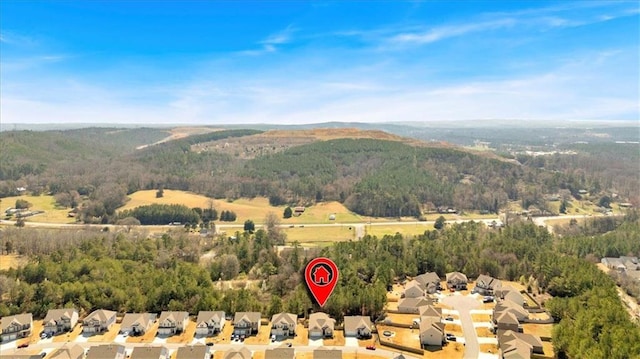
(321, 275)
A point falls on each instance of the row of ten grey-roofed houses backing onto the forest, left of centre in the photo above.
(208, 323)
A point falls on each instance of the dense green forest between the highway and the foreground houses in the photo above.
(96, 271)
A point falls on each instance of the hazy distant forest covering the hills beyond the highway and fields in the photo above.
(95, 170)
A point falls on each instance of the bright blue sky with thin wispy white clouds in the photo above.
(289, 62)
